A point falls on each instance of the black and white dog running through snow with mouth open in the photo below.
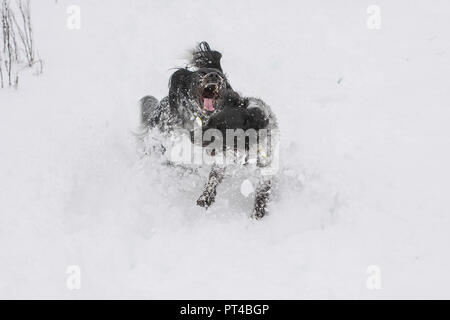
(202, 94)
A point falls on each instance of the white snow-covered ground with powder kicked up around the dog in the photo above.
(364, 117)
